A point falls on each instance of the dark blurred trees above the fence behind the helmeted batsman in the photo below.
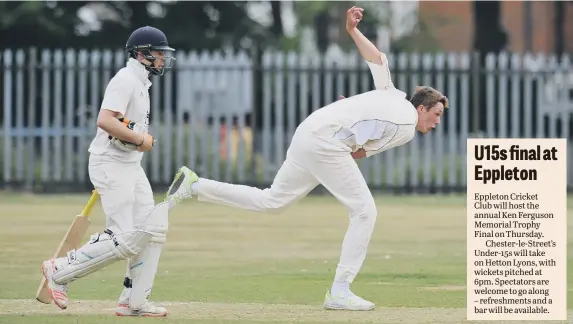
(188, 24)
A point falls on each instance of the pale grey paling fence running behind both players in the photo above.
(231, 116)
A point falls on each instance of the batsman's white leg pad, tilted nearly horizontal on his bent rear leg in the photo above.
(100, 251)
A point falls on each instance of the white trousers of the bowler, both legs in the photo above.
(310, 161)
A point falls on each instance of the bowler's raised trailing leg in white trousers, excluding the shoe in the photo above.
(291, 183)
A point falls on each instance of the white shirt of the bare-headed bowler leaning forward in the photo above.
(376, 120)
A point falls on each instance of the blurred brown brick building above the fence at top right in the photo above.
(452, 24)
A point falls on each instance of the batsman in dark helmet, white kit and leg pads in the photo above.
(136, 228)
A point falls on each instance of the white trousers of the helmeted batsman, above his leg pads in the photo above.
(125, 192)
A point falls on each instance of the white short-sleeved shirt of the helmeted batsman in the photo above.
(127, 93)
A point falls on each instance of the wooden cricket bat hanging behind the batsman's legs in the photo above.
(72, 240)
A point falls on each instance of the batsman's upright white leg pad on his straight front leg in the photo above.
(143, 267)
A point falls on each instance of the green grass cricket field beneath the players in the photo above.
(222, 265)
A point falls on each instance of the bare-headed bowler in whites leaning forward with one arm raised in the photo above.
(323, 150)
